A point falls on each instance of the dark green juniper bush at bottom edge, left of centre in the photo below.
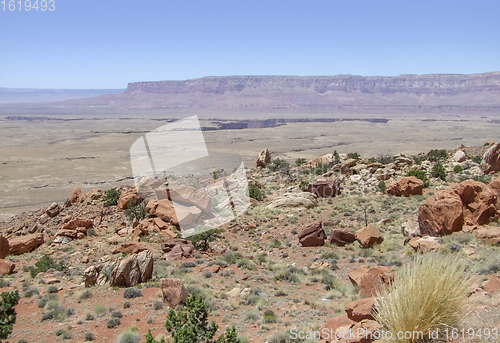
(190, 324)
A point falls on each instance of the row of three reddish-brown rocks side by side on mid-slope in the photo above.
(314, 235)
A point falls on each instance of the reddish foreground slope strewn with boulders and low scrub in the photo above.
(318, 242)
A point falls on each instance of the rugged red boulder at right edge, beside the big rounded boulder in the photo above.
(479, 202)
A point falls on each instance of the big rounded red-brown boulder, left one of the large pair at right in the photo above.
(441, 214)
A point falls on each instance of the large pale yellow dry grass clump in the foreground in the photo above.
(426, 296)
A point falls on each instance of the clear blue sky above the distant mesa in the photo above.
(108, 43)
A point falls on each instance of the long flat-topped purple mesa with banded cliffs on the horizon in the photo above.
(345, 93)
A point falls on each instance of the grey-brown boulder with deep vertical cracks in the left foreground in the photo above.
(133, 269)
